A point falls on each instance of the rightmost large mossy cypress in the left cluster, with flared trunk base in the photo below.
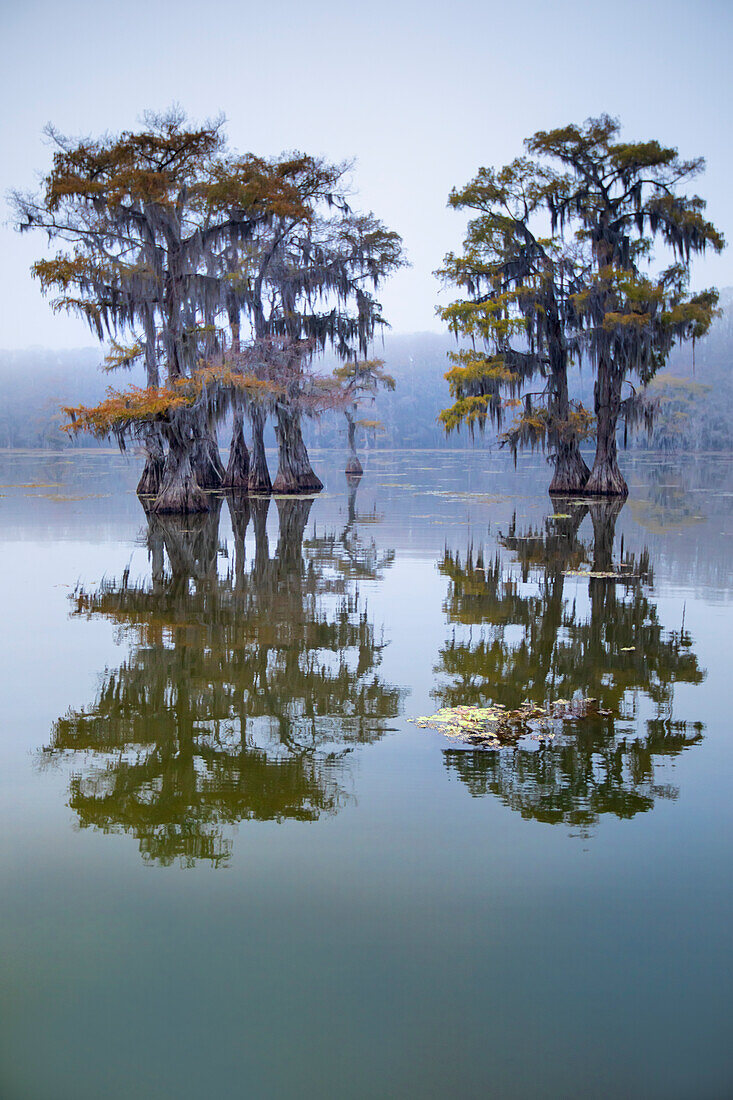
(308, 282)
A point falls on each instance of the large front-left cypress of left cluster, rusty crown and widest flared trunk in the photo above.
(149, 217)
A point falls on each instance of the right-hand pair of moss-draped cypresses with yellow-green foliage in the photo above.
(539, 301)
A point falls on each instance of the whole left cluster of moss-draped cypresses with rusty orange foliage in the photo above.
(173, 243)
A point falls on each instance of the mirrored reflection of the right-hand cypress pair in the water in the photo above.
(543, 636)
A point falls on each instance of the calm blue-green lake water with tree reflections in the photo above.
(233, 866)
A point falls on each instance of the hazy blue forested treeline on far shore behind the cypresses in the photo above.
(696, 398)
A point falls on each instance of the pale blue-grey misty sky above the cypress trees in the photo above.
(420, 94)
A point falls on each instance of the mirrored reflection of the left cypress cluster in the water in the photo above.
(242, 695)
